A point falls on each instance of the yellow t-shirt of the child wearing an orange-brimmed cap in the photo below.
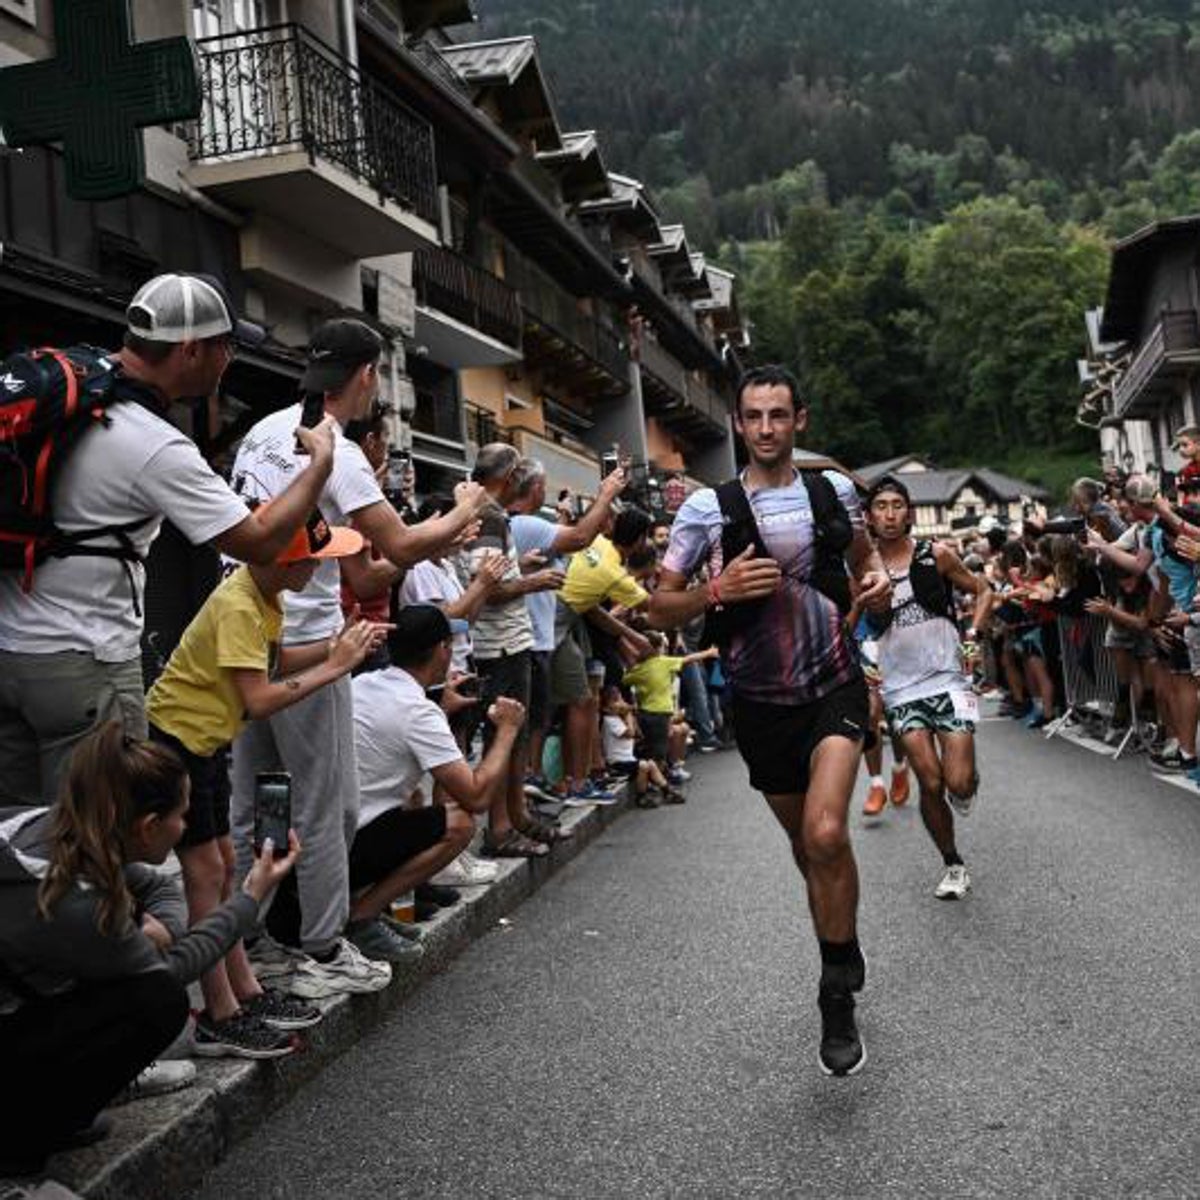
(195, 699)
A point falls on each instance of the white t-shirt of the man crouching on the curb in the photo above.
(399, 735)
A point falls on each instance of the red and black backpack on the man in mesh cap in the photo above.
(49, 400)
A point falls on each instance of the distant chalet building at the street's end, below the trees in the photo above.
(955, 501)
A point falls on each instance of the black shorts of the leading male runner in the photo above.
(778, 741)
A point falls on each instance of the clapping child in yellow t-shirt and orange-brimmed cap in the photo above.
(226, 669)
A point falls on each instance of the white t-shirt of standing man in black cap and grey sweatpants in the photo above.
(266, 466)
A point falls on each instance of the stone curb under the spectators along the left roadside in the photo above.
(164, 1147)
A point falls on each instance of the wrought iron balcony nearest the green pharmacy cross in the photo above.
(278, 95)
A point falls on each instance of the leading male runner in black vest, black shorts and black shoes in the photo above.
(800, 703)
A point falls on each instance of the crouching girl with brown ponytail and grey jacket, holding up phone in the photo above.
(94, 944)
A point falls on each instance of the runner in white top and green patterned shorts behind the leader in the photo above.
(927, 693)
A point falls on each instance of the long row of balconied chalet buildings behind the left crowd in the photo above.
(367, 159)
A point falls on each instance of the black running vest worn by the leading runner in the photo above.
(832, 533)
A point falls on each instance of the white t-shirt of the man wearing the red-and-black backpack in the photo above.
(140, 467)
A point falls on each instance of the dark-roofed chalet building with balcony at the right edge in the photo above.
(1143, 375)
